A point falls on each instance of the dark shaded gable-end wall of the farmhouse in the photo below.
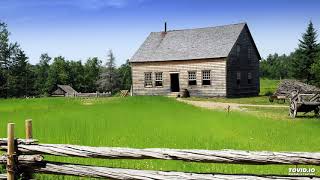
(244, 65)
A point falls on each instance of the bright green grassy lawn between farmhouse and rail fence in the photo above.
(158, 122)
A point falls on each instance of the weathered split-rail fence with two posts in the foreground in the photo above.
(24, 158)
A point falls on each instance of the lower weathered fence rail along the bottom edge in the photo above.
(117, 173)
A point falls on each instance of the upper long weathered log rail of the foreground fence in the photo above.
(213, 156)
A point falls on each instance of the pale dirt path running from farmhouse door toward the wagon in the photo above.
(224, 106)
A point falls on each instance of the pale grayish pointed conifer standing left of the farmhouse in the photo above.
(108, 80)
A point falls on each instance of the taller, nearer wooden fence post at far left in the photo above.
(11, 152)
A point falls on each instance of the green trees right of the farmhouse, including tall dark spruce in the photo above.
(302, 64)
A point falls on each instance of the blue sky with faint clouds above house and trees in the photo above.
(78, 29)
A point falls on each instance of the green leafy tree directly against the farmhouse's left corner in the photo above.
(125, 75)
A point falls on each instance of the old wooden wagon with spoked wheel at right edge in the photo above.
(304, 102)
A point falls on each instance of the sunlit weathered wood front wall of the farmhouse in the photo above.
(216, 66)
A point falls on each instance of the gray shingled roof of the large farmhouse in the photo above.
(200, 43)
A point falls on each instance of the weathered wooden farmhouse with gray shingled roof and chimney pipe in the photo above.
(212, 61)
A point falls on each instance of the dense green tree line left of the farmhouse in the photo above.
(19, 78)
